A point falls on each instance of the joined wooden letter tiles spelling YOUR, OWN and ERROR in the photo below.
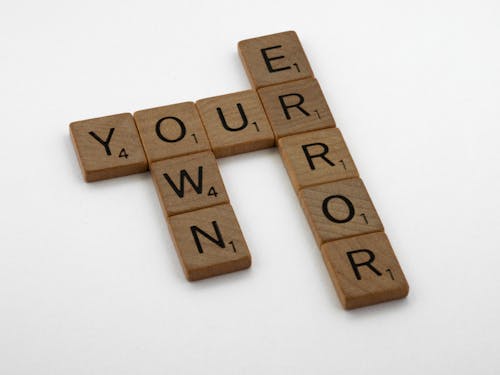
(179, 144)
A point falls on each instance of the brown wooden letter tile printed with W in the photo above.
(187, 183)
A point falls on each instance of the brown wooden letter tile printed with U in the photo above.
(235, 123)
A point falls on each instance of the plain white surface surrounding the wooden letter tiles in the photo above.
(89, 279)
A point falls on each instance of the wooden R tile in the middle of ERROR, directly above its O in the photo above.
(316, 157)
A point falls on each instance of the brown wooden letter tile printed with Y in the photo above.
(108, 147)
